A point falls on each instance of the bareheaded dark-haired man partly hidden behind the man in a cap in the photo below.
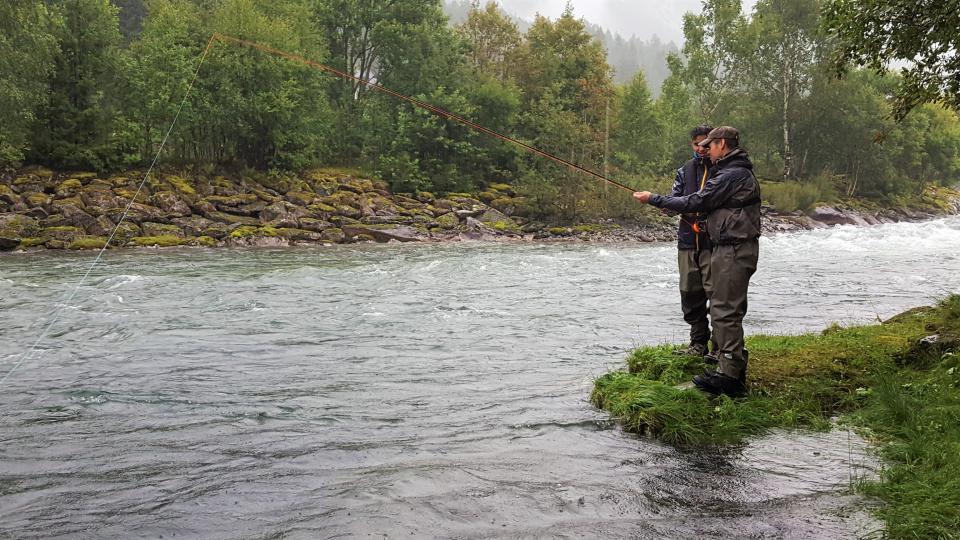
(693, 247)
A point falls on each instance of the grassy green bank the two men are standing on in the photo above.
(903, 391)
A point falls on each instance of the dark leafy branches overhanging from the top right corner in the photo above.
(873, 33)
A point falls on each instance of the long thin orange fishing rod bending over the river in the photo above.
(417, 103)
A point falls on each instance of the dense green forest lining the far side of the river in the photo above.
(89, 85)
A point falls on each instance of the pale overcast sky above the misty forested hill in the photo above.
(626, 17)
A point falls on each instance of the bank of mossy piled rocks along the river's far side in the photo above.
(44, 209)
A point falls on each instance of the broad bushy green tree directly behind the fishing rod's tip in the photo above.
(248, 107)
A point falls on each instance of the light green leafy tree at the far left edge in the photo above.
(27, 48)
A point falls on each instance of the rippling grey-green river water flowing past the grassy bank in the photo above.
(410, 391)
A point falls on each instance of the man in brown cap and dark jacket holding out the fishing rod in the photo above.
(731, 201)
